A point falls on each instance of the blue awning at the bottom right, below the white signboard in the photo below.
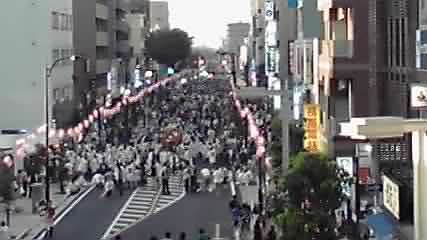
(383, 225)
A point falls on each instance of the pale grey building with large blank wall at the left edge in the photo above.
(27, 50)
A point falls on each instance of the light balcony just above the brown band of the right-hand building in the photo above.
(337, 48)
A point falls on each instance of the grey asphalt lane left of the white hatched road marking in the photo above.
(91, 217)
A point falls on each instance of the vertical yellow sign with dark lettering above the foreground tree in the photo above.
(312, 128)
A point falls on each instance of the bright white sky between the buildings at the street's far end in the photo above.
(206, 20)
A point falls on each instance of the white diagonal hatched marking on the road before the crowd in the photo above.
(140, 203)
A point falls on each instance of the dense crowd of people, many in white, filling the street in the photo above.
(189, 129)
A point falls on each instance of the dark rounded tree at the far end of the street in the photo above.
(168, 46)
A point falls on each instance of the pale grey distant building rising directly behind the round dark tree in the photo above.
(159, 15)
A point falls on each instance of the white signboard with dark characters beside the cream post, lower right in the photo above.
(391, 196)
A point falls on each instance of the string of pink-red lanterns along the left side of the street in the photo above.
(77, 131)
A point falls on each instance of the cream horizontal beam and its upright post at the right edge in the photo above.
(390, 127)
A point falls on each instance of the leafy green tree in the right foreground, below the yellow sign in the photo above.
(312, 192)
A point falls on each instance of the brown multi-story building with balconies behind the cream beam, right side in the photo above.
(366, 65)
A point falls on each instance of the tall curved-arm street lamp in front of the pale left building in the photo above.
(47, 78)
